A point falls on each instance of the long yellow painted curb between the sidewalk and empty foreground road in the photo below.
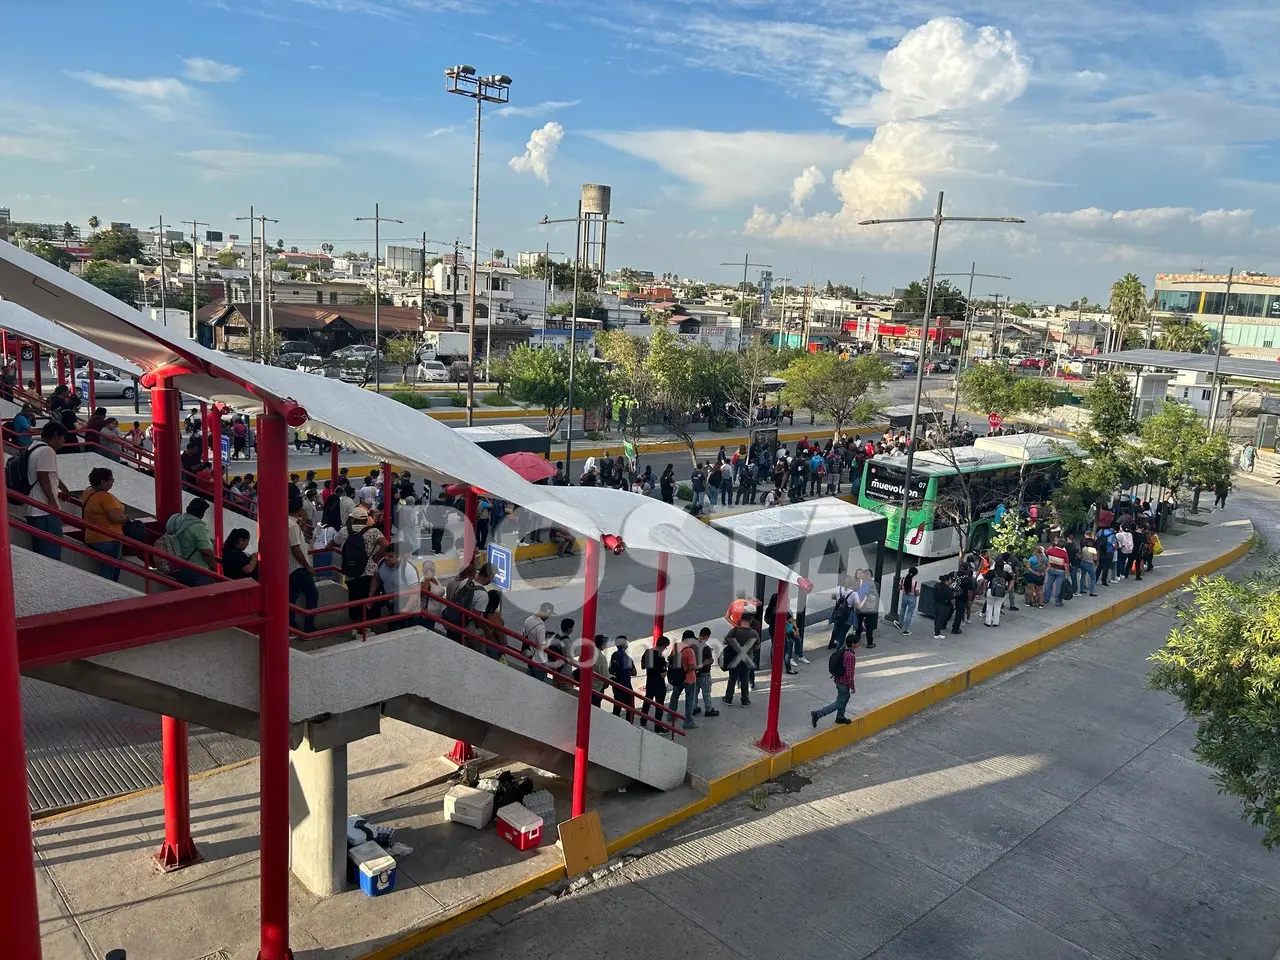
(829, 742)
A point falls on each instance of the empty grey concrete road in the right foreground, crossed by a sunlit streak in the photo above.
(1054, 813)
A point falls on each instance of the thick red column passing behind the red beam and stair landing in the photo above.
(180, 849)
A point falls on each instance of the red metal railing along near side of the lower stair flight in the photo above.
(552, 669)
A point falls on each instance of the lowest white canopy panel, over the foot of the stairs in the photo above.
(647, 524)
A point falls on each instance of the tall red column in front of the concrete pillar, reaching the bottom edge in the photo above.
(273, 519)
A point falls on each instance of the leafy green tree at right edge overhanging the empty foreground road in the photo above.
(1223, 664)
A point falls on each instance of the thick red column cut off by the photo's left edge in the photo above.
(20, 917)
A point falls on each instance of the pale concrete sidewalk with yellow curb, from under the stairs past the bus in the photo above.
(98, 889)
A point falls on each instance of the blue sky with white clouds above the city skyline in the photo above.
(1132, 135)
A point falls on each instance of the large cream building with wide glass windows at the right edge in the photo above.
(1252, 310)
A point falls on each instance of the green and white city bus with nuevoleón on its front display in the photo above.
(1003, 470)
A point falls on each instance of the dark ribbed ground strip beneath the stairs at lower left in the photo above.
(81, 748)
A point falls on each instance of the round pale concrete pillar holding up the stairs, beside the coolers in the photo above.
(318, 817)
